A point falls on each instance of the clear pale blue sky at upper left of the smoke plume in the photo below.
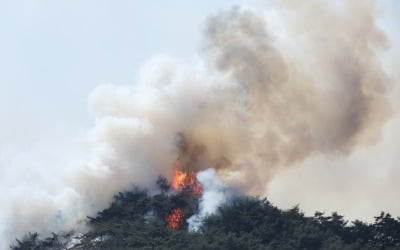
(53, 53)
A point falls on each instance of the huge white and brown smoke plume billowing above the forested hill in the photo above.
(276, 90)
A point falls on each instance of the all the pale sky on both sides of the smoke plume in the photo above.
(53, 54)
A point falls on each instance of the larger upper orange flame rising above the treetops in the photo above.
(184, 180)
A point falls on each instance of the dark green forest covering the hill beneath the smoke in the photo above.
(137, 220)
